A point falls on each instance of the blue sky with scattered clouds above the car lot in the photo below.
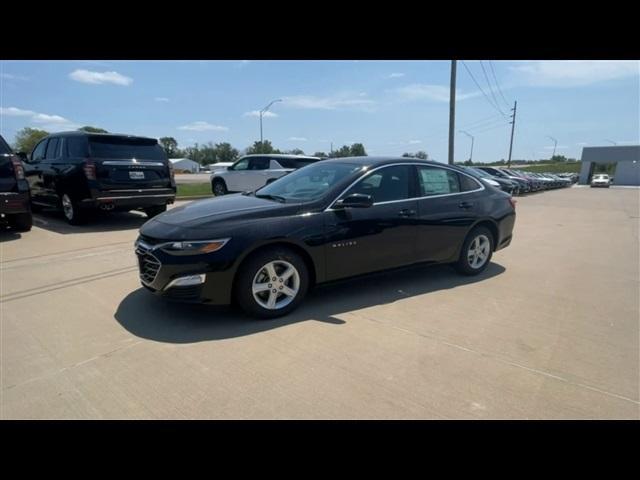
(391, 106)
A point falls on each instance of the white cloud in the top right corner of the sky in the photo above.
(573, 73)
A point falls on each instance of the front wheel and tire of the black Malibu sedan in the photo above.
(271, 283)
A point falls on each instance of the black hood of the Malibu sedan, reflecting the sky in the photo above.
(202, 216)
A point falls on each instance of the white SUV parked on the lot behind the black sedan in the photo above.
(254, 171)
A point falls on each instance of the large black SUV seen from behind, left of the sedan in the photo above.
(80, 172)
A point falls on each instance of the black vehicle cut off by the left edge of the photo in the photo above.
(14, 191)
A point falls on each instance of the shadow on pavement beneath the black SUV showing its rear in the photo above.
(54, 221)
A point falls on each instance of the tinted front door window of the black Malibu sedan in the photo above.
(384, 185)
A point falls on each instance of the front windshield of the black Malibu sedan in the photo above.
(308, 183)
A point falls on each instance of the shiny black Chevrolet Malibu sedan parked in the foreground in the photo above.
(330, 220)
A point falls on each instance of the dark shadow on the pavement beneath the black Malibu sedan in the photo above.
(147, 316)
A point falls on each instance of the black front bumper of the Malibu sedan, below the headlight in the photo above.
(157, 270)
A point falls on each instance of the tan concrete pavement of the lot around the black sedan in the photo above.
(550, 330)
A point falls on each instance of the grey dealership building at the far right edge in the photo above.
(624, 162)
